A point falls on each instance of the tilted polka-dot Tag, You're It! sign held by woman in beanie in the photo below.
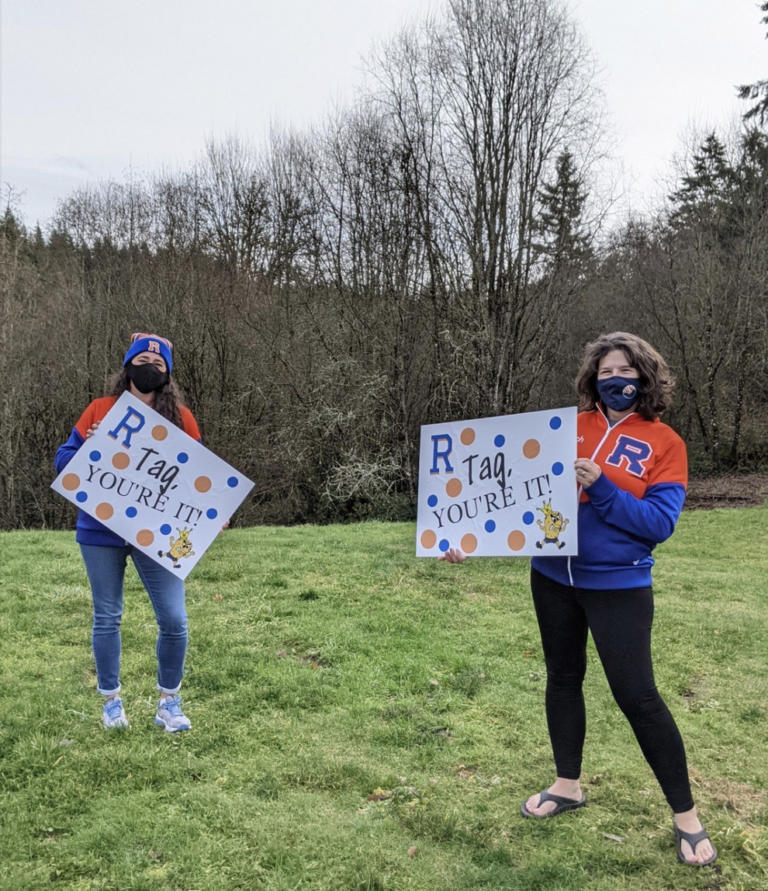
(149, 482)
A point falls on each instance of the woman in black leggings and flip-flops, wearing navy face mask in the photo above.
(632, 473)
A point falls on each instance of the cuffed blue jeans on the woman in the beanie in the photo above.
(106, 568)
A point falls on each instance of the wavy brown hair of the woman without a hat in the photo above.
(656, 380)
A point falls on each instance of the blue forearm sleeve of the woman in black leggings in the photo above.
(652, 517)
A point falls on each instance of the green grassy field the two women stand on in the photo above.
(366, 720)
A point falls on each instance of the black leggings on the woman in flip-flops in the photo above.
(620, 622)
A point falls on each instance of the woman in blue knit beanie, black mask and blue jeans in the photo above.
(146, 374)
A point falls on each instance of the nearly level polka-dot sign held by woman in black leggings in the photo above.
(502, 486)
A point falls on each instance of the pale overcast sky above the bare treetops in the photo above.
(91, 89)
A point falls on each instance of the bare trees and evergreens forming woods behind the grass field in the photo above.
(437, 250)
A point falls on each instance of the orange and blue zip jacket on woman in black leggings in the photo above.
(631, 507)
